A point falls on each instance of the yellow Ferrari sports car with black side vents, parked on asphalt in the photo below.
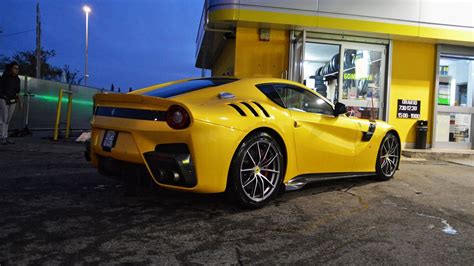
(247, 137)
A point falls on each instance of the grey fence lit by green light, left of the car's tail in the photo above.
(39, 102)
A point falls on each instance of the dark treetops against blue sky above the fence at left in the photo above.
(27, 62)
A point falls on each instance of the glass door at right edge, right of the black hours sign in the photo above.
(455, 97)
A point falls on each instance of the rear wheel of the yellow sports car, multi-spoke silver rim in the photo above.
(256, 172)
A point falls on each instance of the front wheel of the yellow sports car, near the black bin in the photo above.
(388, 157)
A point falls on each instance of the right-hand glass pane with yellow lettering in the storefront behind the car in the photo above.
(362, 79)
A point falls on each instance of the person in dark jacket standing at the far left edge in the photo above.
(9, 89)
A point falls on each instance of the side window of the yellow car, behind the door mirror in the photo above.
(303, 100)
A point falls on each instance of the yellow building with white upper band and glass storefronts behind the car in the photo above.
(396, 60)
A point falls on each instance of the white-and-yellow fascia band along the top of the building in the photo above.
(432, 19)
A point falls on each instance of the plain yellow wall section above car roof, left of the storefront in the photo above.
(255, 58)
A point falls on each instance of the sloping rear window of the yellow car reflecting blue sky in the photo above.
(187, 86)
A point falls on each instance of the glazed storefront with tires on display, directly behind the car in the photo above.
(355, 78)
